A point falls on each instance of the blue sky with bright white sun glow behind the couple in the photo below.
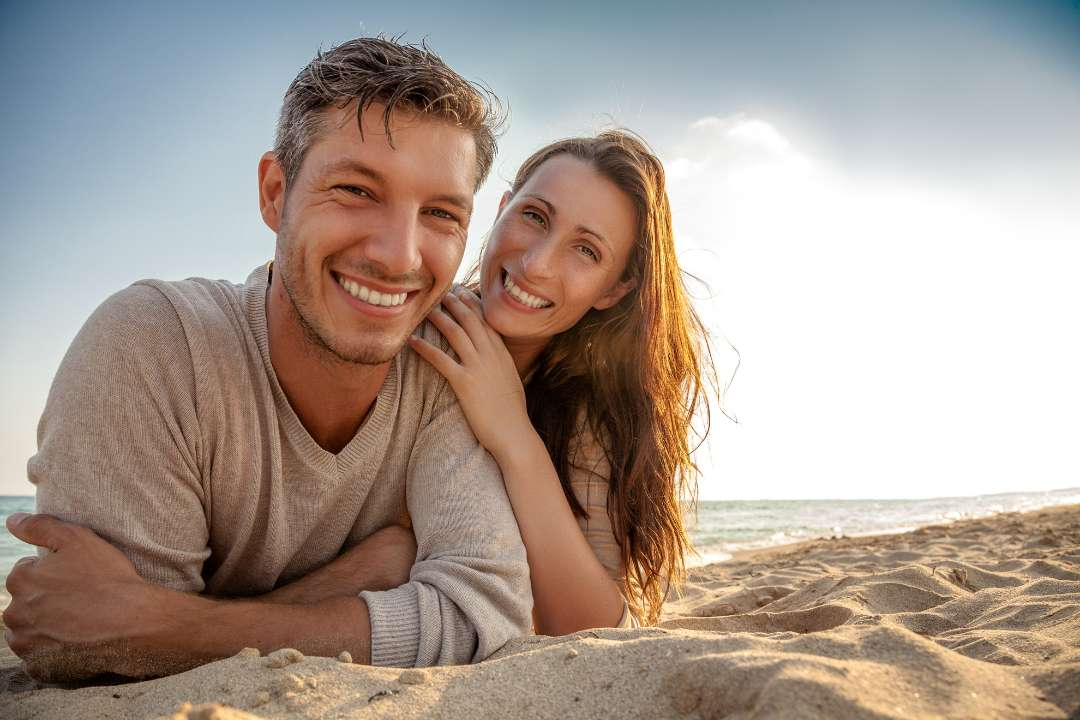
(881, 202)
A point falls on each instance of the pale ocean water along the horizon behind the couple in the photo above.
(725, 527)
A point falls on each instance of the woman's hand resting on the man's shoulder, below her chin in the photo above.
(484, 377)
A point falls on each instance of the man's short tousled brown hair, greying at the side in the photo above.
(401, 77)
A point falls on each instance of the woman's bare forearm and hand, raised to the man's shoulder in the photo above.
(572, 590)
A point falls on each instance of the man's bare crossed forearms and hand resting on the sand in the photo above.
(84, 610)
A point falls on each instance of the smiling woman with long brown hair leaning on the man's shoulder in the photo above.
(580, 372)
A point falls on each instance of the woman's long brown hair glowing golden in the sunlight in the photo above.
(637, 373)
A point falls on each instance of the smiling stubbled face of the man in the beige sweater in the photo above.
(371, 236)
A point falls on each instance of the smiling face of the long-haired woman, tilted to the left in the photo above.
(559, 248)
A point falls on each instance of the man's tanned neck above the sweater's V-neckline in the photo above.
(331, 398)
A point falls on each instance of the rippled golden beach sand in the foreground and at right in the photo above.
(980, 619)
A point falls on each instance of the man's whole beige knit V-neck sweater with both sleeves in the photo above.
(168, 433)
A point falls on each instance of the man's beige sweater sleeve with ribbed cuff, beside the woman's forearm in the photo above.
(469, 592)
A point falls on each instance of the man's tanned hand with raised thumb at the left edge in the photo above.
(76, 612)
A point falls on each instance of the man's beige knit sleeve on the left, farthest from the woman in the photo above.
(118, 441)
